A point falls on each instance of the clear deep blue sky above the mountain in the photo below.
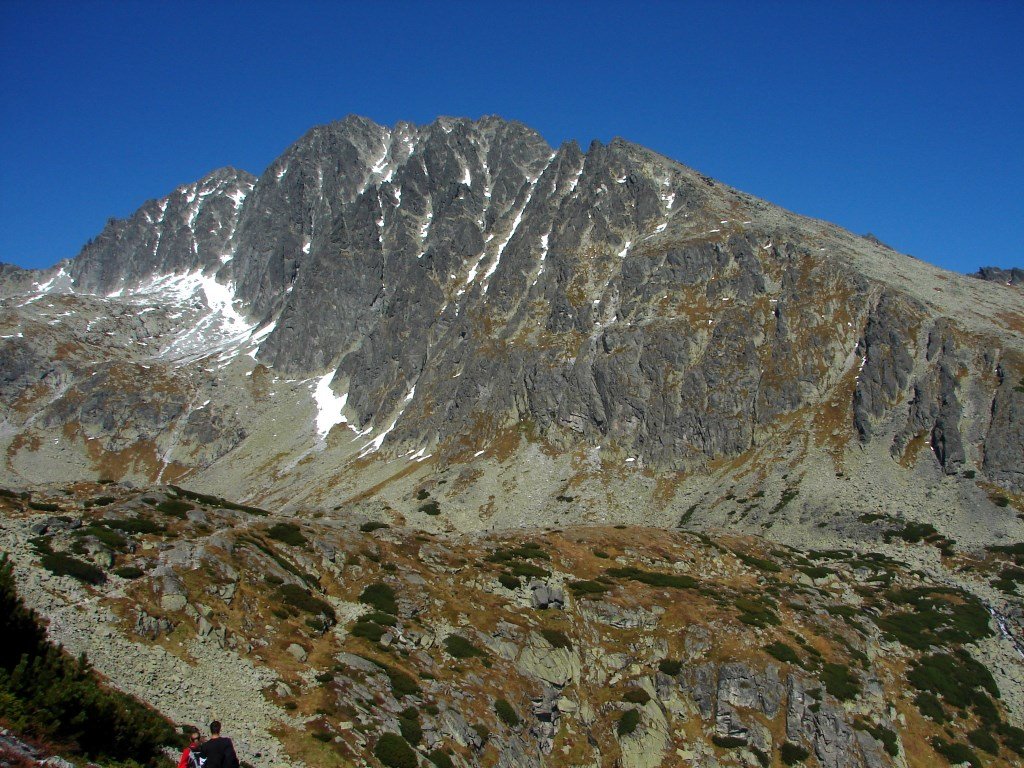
(902, 119)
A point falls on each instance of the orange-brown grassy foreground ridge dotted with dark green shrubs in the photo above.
(327, 644)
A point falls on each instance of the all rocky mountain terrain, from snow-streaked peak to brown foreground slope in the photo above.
(437, 444)
